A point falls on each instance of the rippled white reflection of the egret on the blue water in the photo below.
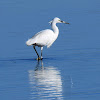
(46, 83)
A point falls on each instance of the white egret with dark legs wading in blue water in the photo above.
(45, 37)
